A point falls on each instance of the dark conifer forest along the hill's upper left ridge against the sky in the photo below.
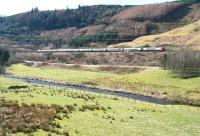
(36, 20)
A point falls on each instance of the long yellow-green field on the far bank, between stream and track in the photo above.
(156, 83)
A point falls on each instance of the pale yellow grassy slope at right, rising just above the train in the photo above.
(187, 36)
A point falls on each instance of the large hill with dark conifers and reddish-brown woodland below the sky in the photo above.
(102, 24)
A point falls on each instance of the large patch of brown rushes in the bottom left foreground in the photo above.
(28, 118)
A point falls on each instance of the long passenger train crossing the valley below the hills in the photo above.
(142, 49)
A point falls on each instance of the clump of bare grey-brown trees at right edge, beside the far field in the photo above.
(184, 63)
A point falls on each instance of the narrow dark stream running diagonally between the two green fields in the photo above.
(92, 89)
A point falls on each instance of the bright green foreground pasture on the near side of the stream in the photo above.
(114, 117)
